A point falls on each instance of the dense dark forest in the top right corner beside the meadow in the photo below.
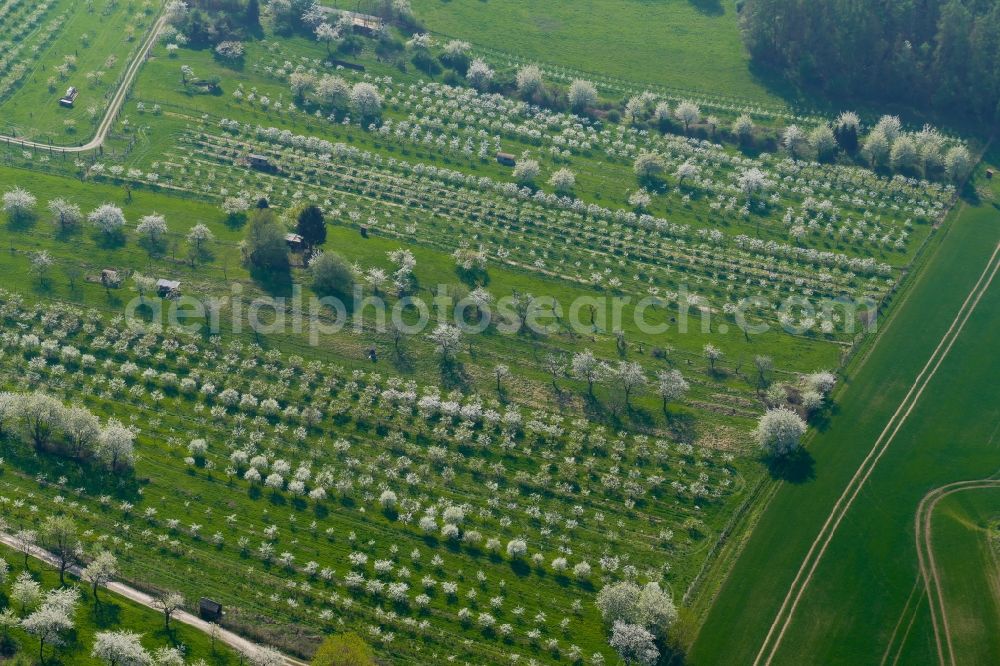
(945, 53)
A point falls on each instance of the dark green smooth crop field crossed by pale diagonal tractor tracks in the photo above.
(862, 585)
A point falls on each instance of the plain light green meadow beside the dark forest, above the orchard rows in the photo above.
(687, 44)
